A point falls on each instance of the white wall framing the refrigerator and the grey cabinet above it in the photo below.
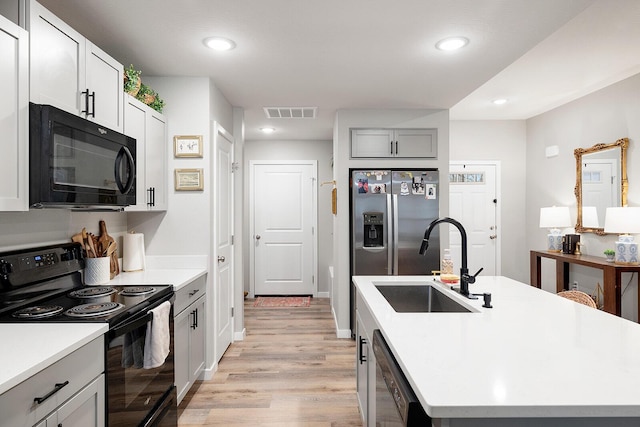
(400, 118)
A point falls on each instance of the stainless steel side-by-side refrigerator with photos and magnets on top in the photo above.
(390, 210)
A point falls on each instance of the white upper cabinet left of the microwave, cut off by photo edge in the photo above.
(14, 126)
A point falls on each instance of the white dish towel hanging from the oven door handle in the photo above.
(158, 339)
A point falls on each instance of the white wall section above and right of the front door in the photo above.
(503, 141)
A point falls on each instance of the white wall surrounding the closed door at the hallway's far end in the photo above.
(321, 151)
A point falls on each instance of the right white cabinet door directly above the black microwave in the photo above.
(104, 77)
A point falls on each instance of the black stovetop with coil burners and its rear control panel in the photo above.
(45, 285)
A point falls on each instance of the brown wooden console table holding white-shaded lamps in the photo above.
(611, 275)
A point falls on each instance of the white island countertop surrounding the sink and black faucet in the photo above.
(533, 355)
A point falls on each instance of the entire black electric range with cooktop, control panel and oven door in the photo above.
(44, 284)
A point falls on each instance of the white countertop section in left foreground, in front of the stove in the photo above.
(47, 343)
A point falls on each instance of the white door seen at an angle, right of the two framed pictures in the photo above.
(223, 239)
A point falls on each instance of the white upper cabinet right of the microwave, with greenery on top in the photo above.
(149, 128)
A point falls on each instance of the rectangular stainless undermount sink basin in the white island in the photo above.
(421, 298)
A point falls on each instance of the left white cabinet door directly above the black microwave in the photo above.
(57, 61)
